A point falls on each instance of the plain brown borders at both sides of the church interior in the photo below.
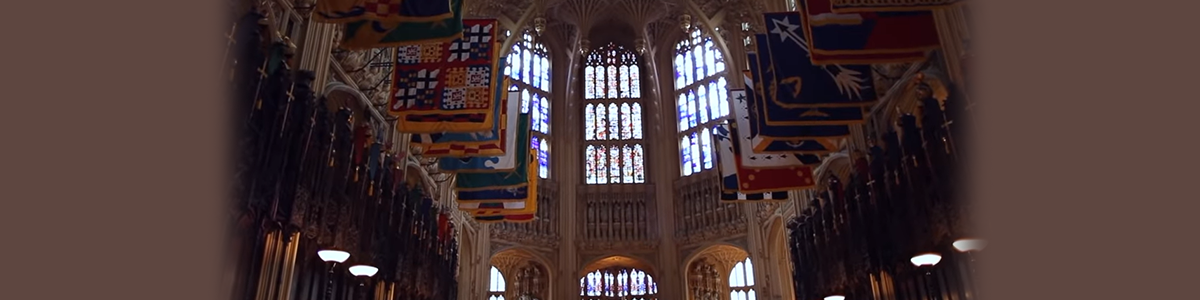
(113, 149)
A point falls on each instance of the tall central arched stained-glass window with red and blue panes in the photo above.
(613, 118)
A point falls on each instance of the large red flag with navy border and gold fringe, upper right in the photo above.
(865, 38)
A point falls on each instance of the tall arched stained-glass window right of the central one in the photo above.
(701, 99)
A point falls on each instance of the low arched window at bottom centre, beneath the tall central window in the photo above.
(619, 284)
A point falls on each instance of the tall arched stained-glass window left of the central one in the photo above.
(529, 65)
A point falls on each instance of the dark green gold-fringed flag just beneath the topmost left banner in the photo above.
(380, 34)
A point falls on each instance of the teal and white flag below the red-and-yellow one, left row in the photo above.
(506, 163)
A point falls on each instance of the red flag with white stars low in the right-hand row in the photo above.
(763, 183)
